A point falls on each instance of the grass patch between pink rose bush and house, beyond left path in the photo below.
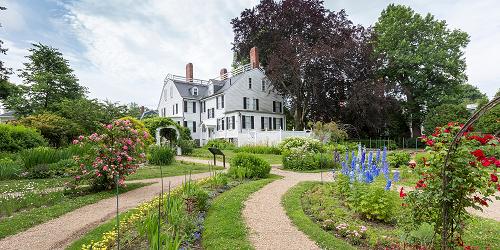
(176, 168)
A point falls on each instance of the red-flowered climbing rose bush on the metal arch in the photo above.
(472, 180)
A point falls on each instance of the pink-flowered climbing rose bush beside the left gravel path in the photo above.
(116, 153)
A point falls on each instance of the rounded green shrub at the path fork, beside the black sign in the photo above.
(245, 165)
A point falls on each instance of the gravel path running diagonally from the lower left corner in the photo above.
(60, 232)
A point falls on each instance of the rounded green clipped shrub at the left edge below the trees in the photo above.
(15, 138)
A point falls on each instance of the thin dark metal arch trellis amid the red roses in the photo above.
(451, 150)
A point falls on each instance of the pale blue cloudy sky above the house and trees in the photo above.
(122, 50)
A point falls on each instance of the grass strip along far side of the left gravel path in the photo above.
(26, 219)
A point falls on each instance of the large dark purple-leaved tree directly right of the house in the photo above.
(313, 67)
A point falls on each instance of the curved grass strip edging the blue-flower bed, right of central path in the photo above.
(293, 207)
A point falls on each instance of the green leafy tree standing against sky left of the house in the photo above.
(47, 80)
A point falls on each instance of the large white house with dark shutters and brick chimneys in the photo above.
(237, 106)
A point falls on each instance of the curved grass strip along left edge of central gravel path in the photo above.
(224, 225)
